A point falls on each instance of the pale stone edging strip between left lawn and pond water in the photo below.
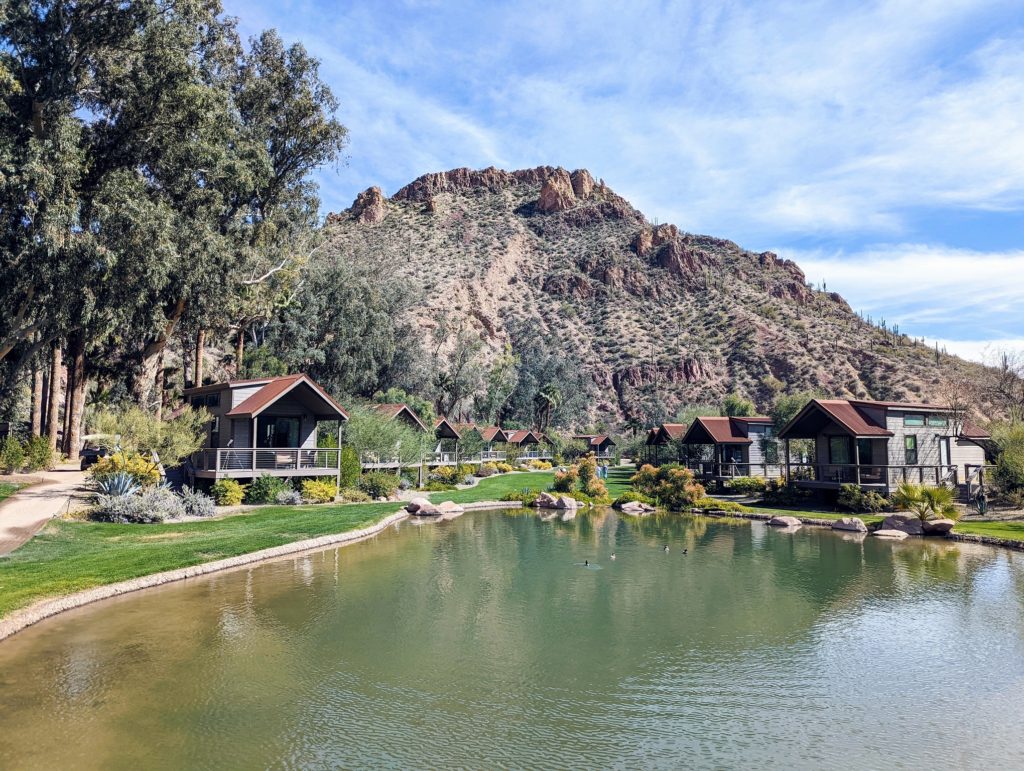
(44, 610)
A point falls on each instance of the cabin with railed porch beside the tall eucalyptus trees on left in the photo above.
(266, 426)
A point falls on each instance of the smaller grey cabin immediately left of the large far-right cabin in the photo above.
(741, 447)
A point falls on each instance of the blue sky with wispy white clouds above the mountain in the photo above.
(879, 145)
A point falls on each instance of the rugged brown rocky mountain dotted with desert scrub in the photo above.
(658, 318)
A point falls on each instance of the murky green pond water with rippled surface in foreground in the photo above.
(485, 644)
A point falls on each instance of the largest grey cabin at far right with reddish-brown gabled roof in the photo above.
(879, 445)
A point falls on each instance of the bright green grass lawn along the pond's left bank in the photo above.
(70, 556)
